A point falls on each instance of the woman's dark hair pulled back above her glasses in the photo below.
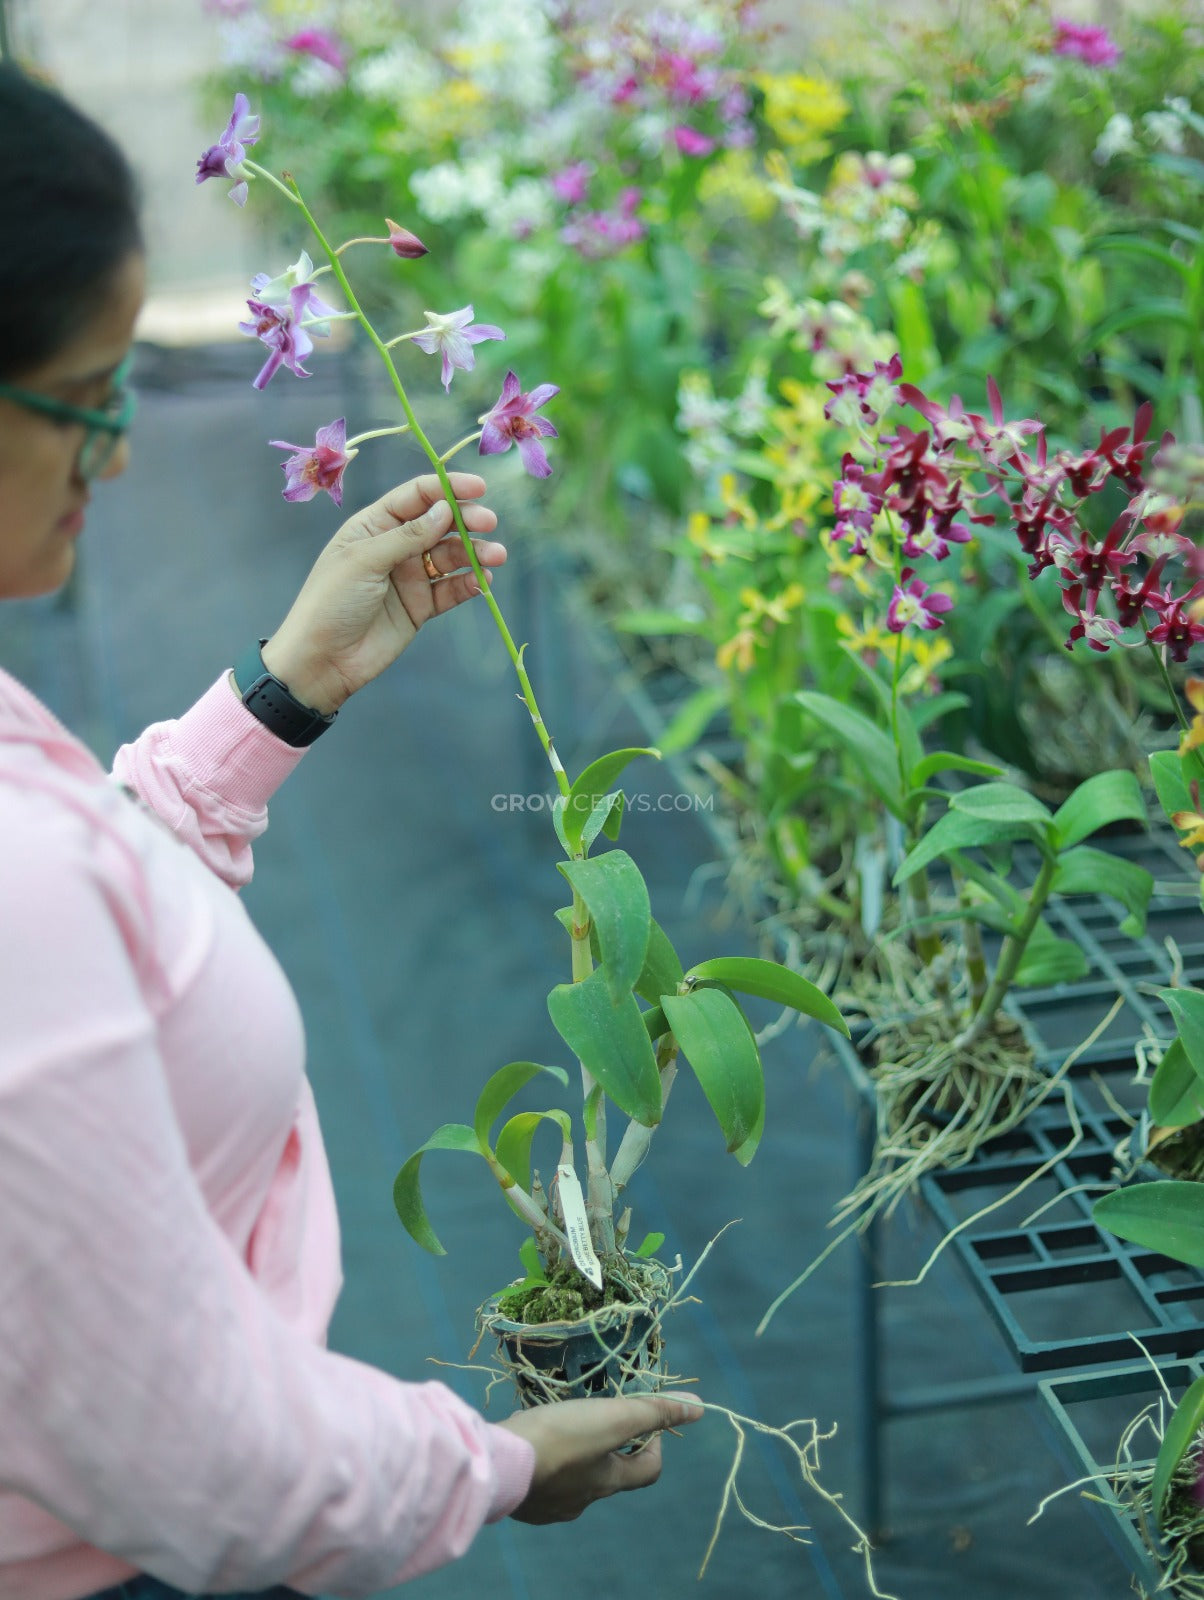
(68, 220)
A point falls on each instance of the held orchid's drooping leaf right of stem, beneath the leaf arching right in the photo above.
(716, 1041)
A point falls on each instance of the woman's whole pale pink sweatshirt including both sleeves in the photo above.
(169, 1242)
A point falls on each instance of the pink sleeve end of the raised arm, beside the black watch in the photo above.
(211, 775)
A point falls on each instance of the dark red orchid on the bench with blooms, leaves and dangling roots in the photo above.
(952, 1068)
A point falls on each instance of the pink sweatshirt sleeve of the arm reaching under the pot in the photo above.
(151, 1398)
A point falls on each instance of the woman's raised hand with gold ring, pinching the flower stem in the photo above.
(371, 593)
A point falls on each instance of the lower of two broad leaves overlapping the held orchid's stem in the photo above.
(612, 1044)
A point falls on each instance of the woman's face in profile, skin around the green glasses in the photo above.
(42, 495)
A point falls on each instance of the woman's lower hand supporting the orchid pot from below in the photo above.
(577, 1446)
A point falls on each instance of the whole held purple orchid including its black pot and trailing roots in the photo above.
(587, 1318)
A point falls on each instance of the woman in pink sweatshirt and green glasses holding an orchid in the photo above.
(169, 1246)
